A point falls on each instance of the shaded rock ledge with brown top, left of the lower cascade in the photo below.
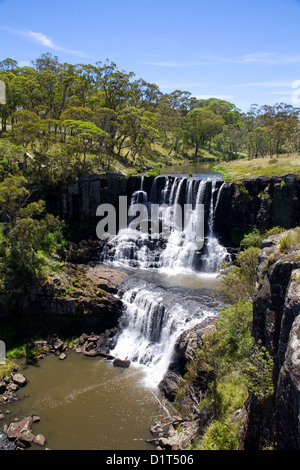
(79, 298)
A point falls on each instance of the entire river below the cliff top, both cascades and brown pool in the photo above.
(86, 403)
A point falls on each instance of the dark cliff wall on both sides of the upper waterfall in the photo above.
(264, 201)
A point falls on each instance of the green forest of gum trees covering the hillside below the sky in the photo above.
(62, 120)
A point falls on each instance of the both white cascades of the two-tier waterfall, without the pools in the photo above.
(152, 319)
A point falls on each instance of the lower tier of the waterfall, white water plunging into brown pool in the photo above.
(151, 326)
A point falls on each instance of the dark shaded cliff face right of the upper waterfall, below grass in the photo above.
(263, 201)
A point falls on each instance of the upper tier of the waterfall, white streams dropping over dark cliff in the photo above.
(180, 251)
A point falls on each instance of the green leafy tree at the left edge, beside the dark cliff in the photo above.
(29, 236)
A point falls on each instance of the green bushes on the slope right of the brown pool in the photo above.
(233, 366)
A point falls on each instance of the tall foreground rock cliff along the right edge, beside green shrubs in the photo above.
(276, 323)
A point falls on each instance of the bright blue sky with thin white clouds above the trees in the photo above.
(243, 51)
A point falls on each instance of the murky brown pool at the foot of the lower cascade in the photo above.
(87, 404)
